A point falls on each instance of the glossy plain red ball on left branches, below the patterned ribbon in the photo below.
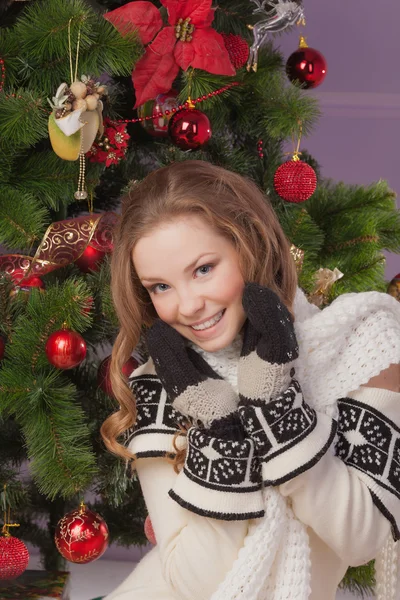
(65, 349)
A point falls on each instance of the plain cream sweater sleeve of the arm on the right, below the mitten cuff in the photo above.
(332, 499)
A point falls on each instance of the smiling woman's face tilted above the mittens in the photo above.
(192, 275)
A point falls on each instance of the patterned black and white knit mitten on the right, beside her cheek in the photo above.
(290, 437)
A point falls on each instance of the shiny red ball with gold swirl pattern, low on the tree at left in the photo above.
(81, 535)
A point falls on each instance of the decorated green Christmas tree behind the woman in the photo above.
(207, 83)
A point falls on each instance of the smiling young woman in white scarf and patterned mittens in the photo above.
(265, 432)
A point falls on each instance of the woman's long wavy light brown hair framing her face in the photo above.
(234, 207)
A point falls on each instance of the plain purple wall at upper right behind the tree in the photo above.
(357, 138)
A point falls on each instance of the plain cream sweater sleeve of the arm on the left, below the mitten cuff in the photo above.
(196, 552)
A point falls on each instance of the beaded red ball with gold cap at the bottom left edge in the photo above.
(14, 555)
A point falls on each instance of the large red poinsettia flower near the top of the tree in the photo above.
(187, 41)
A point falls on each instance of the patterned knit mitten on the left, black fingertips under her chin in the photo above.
(221, 477)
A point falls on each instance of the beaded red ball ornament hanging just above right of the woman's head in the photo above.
(295, 181)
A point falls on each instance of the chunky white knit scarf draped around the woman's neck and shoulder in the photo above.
(341, 348)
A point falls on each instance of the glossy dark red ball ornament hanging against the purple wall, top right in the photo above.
(306, 66)
